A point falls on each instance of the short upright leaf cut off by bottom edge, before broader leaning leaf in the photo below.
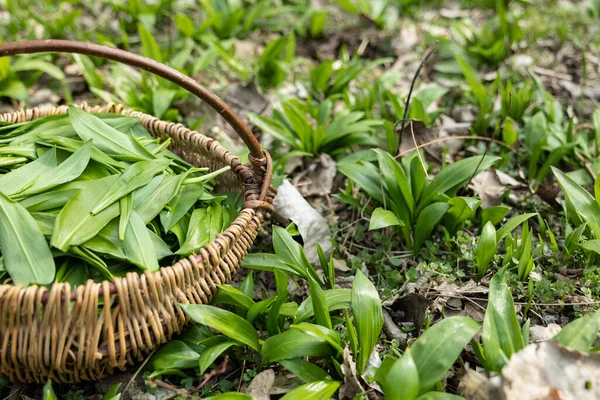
(399, 378)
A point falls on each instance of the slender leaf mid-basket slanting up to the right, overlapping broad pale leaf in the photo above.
(136, 176)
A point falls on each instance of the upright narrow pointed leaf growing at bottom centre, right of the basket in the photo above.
(368, 317)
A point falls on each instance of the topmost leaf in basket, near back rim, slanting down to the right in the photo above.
(107, 138)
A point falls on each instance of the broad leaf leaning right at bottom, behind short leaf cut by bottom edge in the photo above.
(437, 348)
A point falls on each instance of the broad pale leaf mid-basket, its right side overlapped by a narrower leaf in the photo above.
(75, 224)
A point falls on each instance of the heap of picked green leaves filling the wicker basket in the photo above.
(82, 191)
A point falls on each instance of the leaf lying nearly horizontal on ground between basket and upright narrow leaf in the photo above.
(294, 343)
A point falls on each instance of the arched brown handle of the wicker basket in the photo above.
(135, 60)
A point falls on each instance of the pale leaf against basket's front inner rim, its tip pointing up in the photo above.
(138, 245)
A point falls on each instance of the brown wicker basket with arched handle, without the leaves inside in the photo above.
(83, 333)
